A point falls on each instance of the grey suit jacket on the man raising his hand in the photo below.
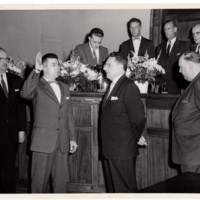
(52, 120)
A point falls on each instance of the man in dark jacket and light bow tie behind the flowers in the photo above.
(138, 44)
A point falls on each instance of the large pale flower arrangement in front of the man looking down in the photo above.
(79, 75)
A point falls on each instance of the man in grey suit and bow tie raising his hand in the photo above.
(53, 135)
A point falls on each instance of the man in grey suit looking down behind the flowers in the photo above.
(92, 52)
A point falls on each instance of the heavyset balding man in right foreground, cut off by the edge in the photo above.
(186, 117)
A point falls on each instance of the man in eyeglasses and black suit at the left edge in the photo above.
(12, 124)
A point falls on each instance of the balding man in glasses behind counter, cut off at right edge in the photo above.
(196, 36)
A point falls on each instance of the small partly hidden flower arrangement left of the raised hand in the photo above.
(15, 66)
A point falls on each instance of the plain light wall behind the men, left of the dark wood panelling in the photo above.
(25, 32)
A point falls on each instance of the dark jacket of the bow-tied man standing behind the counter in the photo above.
(145, 45)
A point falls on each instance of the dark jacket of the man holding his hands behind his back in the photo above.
(122, 121)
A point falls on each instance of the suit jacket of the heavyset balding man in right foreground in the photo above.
(186, 126)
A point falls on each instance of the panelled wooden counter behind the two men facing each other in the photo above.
(153, 164)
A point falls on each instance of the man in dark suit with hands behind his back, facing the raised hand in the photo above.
(122, 123)
